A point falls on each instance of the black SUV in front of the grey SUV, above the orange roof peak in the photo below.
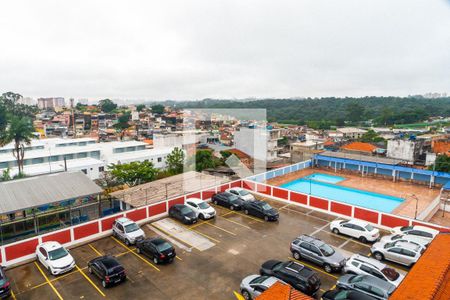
(297, 275)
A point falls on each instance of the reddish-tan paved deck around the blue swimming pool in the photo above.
(377, 185)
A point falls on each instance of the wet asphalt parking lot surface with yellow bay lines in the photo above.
(237, 245)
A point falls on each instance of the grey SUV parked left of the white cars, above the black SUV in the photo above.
(318, 252)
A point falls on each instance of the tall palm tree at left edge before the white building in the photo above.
(19, 131)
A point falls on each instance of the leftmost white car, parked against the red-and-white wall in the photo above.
(55, 258)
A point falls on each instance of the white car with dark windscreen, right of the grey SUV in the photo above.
(360, 265)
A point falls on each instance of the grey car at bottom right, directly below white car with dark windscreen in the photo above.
(367, 284)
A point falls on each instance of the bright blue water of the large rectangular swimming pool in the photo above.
(380, 202)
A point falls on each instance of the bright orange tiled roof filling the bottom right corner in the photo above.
(429, 279)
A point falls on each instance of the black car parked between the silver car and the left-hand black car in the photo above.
(157, 249)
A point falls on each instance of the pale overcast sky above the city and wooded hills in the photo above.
(189, 49)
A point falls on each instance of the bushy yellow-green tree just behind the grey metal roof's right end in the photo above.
(133, 173)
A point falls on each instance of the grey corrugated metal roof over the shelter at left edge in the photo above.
(41, 190)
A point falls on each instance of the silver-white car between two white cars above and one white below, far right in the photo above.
(400, 252)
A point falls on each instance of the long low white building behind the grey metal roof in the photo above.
(84, 154)
